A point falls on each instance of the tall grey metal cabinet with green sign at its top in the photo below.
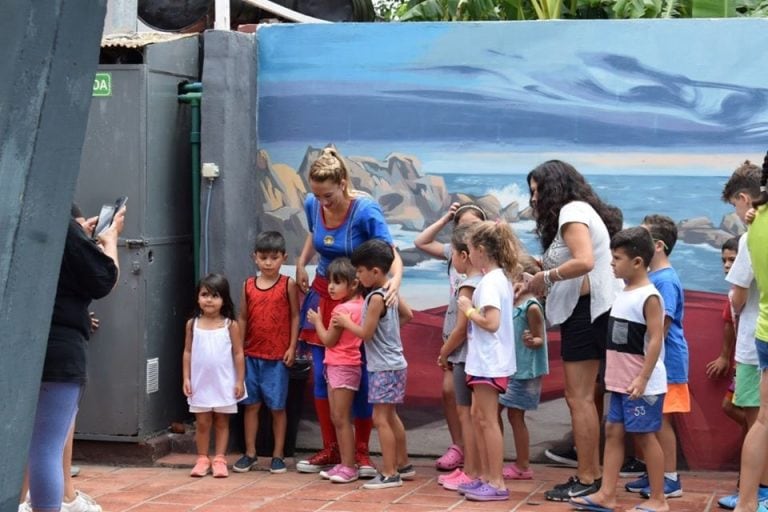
(137, 145)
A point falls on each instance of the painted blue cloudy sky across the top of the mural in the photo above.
(634, 83)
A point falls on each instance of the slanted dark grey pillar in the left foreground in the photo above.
(49, 50)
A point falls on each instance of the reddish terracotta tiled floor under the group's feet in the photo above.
(171, 489)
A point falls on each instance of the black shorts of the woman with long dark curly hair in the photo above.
(581, 339)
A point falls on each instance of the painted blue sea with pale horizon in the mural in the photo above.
(682, 185)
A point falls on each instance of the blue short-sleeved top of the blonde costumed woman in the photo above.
(364, 221)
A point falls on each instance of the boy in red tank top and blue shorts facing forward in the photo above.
(269, 317)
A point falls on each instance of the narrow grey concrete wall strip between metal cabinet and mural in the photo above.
(229, 140)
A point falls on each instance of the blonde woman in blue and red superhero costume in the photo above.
(339, 220)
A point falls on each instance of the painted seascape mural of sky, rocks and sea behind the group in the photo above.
(655, 113)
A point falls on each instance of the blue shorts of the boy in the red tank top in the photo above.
(266, 381)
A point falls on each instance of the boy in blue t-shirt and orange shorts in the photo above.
(677, 400)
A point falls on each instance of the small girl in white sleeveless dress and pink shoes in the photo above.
(214, 371)
